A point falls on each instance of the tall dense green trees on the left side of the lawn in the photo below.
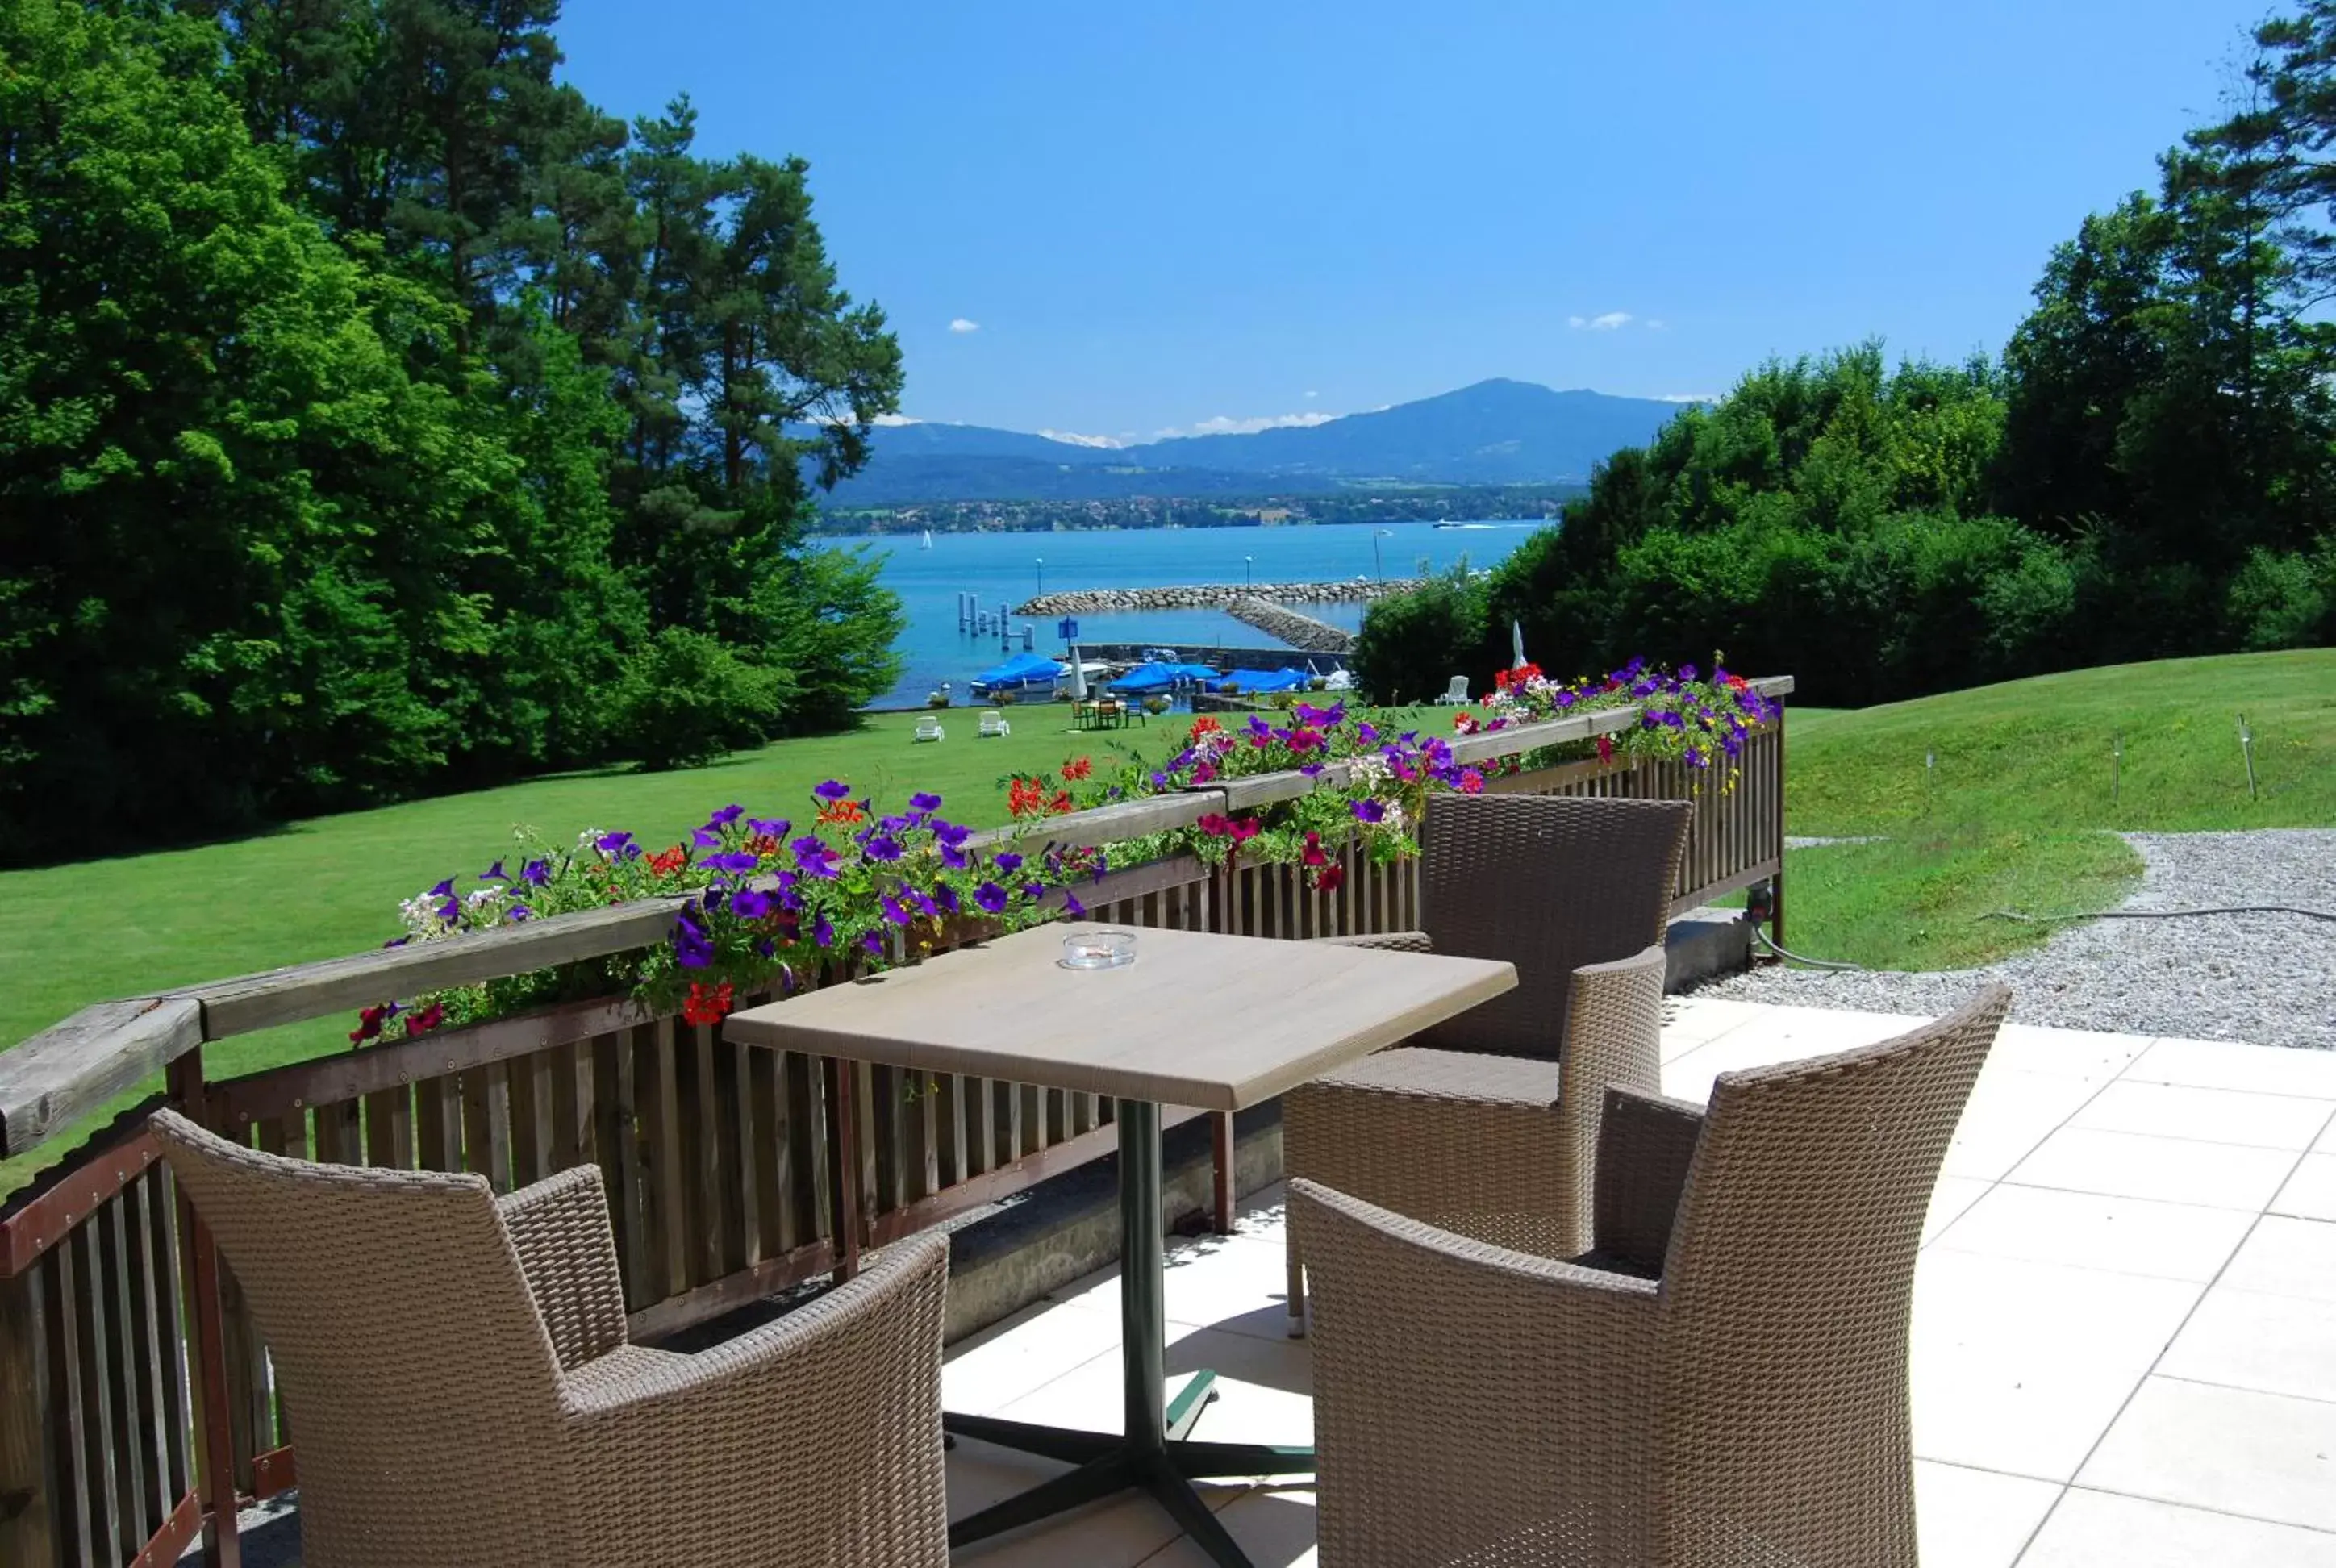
(373, 410)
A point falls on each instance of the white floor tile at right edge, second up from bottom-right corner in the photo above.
(2230, 1450)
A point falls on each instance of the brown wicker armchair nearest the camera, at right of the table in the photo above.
(1720, 1385)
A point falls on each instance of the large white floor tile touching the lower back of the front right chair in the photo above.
(2022, 1366)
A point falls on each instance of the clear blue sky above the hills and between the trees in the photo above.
(1146, 218)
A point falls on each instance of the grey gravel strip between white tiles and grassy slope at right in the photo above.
(2255, 978)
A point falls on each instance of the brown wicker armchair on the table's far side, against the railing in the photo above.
(1489, 1123)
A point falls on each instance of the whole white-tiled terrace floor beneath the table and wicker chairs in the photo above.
(2125, 1345)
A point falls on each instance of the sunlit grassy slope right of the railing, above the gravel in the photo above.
(2017, 812)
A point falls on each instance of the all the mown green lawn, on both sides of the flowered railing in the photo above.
(2010, 819)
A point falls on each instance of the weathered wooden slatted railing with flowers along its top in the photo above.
(130, 1361)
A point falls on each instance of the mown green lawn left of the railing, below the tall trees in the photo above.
(139, 924)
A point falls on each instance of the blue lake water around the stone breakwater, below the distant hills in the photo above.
(1013, 567)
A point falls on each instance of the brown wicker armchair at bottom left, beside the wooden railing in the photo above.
(457, 1373)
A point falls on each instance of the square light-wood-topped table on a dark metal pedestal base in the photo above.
(1197, 1020)
